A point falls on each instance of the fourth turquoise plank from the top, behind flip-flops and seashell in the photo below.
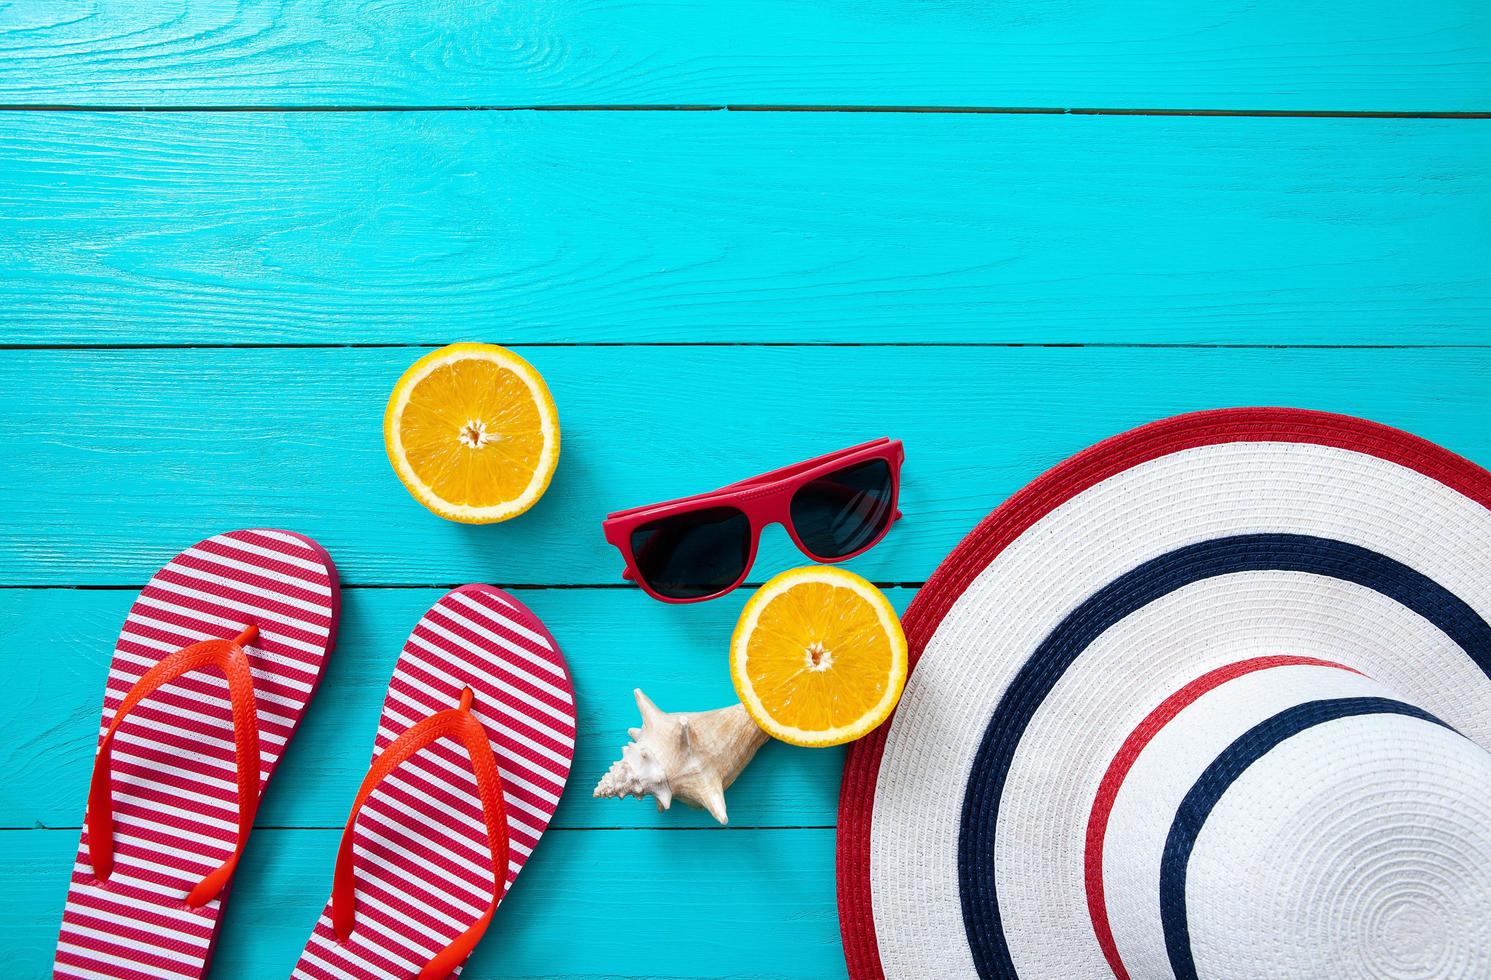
(57, 647)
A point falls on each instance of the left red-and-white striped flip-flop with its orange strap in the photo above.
(217, 663)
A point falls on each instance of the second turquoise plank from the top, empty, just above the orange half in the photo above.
(725, 227)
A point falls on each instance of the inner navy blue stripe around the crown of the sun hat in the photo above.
(1214, 782)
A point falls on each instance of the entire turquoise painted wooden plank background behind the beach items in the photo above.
(730, 235)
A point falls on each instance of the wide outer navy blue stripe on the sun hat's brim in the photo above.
(1122, 597)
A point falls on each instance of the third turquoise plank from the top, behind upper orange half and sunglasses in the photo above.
(119, 459)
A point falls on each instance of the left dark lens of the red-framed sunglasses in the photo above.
(696, 554)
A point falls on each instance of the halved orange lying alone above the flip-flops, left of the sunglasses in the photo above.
(473, 433)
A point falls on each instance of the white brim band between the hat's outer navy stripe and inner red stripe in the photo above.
(1134, 668)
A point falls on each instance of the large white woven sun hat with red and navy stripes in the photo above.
(1208, 700)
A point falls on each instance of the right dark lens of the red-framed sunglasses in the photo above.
(846, 511)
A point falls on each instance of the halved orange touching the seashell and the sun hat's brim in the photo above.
(819, 657)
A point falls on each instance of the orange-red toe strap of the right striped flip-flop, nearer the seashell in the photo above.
(461, 726)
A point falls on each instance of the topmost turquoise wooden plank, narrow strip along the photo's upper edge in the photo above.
(1228, 54)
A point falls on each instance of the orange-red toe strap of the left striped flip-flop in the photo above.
(227, 657)
